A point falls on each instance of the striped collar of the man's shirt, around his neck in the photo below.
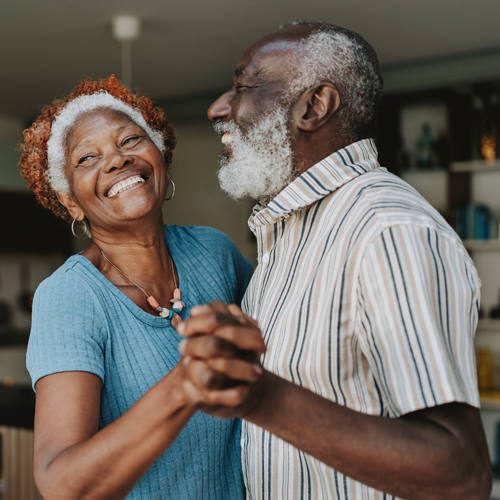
(315, 183)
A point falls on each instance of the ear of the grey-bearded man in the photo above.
(315, 107)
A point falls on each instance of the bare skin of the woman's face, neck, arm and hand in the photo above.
(73, 458)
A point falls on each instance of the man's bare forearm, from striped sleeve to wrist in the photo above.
(421, 456)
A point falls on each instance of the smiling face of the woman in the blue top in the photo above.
(115, 171)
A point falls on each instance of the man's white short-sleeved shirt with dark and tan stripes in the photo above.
(365, 296)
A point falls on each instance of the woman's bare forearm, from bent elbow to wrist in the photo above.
(109, 464)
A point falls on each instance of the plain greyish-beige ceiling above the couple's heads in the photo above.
(191, 46)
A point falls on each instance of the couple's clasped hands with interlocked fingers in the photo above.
(220, 360)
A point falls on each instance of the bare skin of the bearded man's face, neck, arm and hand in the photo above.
(435, 453)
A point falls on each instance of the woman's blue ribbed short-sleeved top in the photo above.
(81, 322)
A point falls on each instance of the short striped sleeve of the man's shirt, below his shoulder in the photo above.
(418, 301)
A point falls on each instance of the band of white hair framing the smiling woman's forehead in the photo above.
(56, 148)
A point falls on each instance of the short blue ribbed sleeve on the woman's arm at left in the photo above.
(66, 333)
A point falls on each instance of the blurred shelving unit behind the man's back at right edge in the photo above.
(464, 176)
